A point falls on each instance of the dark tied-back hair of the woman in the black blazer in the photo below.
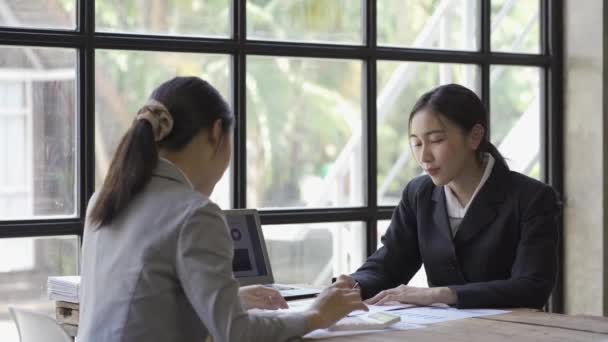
(462, 107)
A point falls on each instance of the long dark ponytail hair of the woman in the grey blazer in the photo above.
(194, 105)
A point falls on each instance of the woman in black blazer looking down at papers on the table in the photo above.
(486, 235)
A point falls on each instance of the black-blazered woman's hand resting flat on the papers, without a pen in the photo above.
(415, 295)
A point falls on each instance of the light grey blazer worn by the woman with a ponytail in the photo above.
(162, 271)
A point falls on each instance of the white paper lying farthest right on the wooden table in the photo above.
(433, 314)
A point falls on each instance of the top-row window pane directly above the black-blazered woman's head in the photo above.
(451, 25)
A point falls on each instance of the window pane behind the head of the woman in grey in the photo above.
(123, 82)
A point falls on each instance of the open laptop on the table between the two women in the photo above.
(251, 264)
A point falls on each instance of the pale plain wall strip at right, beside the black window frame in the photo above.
(585, 158)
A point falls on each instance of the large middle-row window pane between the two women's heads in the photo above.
(304, 141)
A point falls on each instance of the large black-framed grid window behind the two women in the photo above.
(305, 126)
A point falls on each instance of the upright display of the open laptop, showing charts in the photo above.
(248, 254)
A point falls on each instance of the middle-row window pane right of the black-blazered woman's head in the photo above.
(515, 117)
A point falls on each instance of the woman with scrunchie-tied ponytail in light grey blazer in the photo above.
(157, 254)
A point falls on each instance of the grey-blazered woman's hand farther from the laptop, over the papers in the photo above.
(331, 305)
